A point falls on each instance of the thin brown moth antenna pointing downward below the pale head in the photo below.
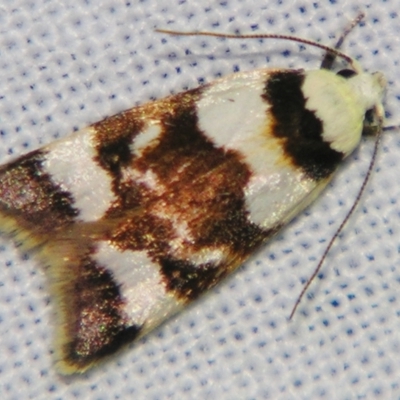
(346, 218)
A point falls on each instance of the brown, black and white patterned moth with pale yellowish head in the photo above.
(137, 215)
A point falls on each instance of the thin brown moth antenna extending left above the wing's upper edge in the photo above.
(331, 50)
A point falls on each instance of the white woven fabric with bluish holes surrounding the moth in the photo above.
(65, 64)
